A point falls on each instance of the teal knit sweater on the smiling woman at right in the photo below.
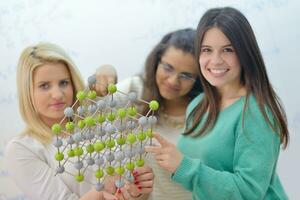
(232, 161)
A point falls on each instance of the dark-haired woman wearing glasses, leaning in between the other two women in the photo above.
(171, 78)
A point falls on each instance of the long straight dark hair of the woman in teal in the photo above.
(253, 72)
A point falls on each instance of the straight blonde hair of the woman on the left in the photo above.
(31, 58)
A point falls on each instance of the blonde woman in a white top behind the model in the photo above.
(47, 81)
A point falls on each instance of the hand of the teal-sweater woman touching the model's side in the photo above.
(166, 155)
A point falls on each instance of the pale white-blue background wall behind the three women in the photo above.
(122, 32)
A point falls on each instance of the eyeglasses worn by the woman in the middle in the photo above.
(170, 71)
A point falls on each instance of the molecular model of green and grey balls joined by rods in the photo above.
(102, 135)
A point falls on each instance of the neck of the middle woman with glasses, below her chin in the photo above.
(175, 107)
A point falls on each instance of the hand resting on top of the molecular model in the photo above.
(105, 75)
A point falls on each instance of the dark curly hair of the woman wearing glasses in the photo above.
(182, 39)
